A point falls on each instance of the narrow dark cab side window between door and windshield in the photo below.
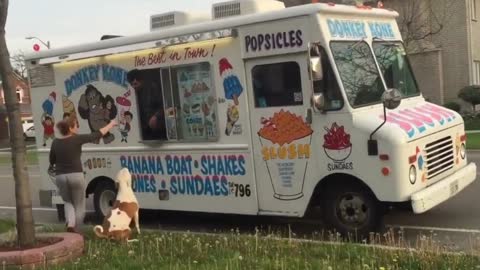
(328, 85)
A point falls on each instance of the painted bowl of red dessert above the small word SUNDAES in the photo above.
(337, 143)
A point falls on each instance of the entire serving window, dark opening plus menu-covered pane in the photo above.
(176, 103)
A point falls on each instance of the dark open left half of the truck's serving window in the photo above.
(148, 91)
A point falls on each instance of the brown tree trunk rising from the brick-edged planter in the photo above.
(25, 228)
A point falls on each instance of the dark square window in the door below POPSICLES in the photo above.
(277, 84)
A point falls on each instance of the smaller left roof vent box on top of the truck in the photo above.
(175, 18)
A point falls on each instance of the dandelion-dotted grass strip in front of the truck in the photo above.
(161, 250)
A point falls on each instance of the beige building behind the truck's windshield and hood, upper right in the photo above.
(443, 40)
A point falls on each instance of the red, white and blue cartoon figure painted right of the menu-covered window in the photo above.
(233, 89)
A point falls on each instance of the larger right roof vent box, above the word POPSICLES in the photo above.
(244, 7)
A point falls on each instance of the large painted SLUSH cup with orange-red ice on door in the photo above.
(280, 134)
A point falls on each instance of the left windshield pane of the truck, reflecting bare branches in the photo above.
(358, 71)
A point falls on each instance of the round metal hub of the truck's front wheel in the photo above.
(352, 210)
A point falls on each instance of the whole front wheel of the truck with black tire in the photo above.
(351, 210)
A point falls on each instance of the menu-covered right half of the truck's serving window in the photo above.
(190, 103)
